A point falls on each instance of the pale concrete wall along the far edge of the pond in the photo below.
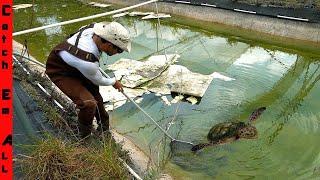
(299, 30)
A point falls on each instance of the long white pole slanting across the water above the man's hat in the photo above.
(81, 19)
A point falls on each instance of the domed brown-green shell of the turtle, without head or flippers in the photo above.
(225, 130)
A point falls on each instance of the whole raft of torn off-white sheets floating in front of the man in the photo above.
(158, 75)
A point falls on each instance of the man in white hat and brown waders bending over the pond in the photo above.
(73, 66)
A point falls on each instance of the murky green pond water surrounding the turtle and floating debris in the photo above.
(274, 75)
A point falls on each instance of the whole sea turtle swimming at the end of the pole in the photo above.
(230, 131)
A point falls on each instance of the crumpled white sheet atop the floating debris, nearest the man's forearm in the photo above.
(136, 73)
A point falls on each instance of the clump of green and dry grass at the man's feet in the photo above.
(52, 158)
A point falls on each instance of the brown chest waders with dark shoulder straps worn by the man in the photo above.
(76, 86)
